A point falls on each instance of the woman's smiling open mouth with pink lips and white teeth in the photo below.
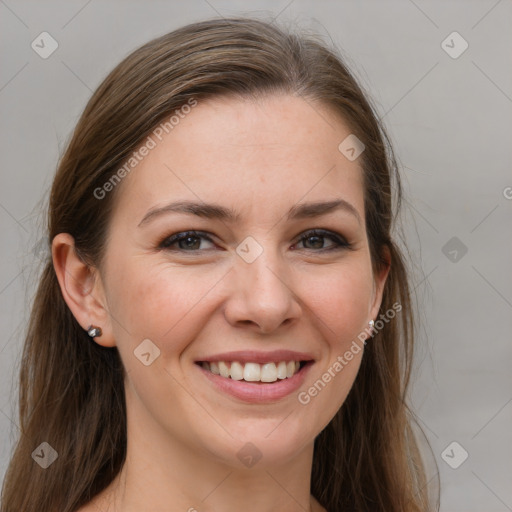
(256, 377)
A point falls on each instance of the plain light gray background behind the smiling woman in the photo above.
(450, 120)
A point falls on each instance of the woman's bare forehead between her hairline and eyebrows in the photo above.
(253, 155)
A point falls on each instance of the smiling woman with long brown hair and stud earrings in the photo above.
(225, 323)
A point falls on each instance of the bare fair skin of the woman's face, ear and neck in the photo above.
(260, 158)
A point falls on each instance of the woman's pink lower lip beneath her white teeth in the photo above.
(256, 392)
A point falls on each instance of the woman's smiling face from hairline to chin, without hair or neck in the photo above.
(276, 275)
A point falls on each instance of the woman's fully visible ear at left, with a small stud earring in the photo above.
(81, 288)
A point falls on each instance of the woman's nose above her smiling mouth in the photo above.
(261, 295)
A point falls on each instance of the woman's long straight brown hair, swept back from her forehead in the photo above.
(71, 391)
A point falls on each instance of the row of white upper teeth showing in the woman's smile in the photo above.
(253, 372)
